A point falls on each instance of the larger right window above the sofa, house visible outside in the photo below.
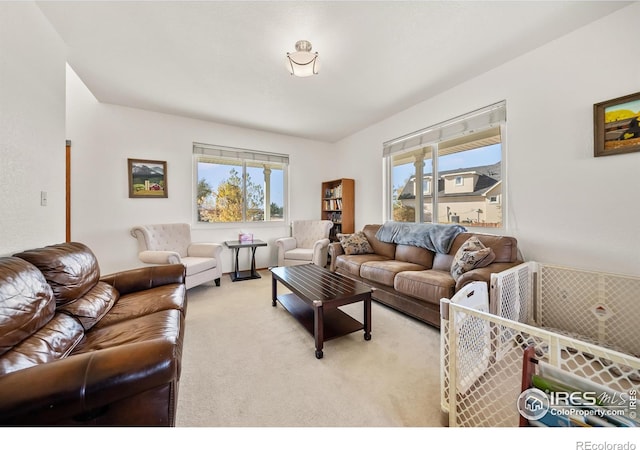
(459, 163)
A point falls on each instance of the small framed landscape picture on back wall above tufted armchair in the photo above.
(147, 179)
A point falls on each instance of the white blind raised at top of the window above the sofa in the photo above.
(474, 122)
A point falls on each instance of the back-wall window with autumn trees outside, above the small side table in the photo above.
(239, 185)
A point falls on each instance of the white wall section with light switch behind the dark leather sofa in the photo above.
(32, 147)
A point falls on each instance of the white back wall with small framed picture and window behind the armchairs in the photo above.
(103, 137)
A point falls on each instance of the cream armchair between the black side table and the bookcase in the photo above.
(309, 243)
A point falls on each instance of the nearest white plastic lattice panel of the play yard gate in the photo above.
(491, 398)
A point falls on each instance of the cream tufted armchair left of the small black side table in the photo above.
(171, 244)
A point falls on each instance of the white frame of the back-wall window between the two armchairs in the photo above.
(243, 158)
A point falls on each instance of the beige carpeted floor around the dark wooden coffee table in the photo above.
(248, 364)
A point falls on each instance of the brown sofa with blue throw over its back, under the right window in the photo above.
(412, 279)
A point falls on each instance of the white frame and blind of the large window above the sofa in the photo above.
(479, 121)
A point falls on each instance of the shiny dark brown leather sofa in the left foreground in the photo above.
(77, 349)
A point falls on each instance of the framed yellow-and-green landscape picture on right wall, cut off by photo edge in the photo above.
(616, 127)
